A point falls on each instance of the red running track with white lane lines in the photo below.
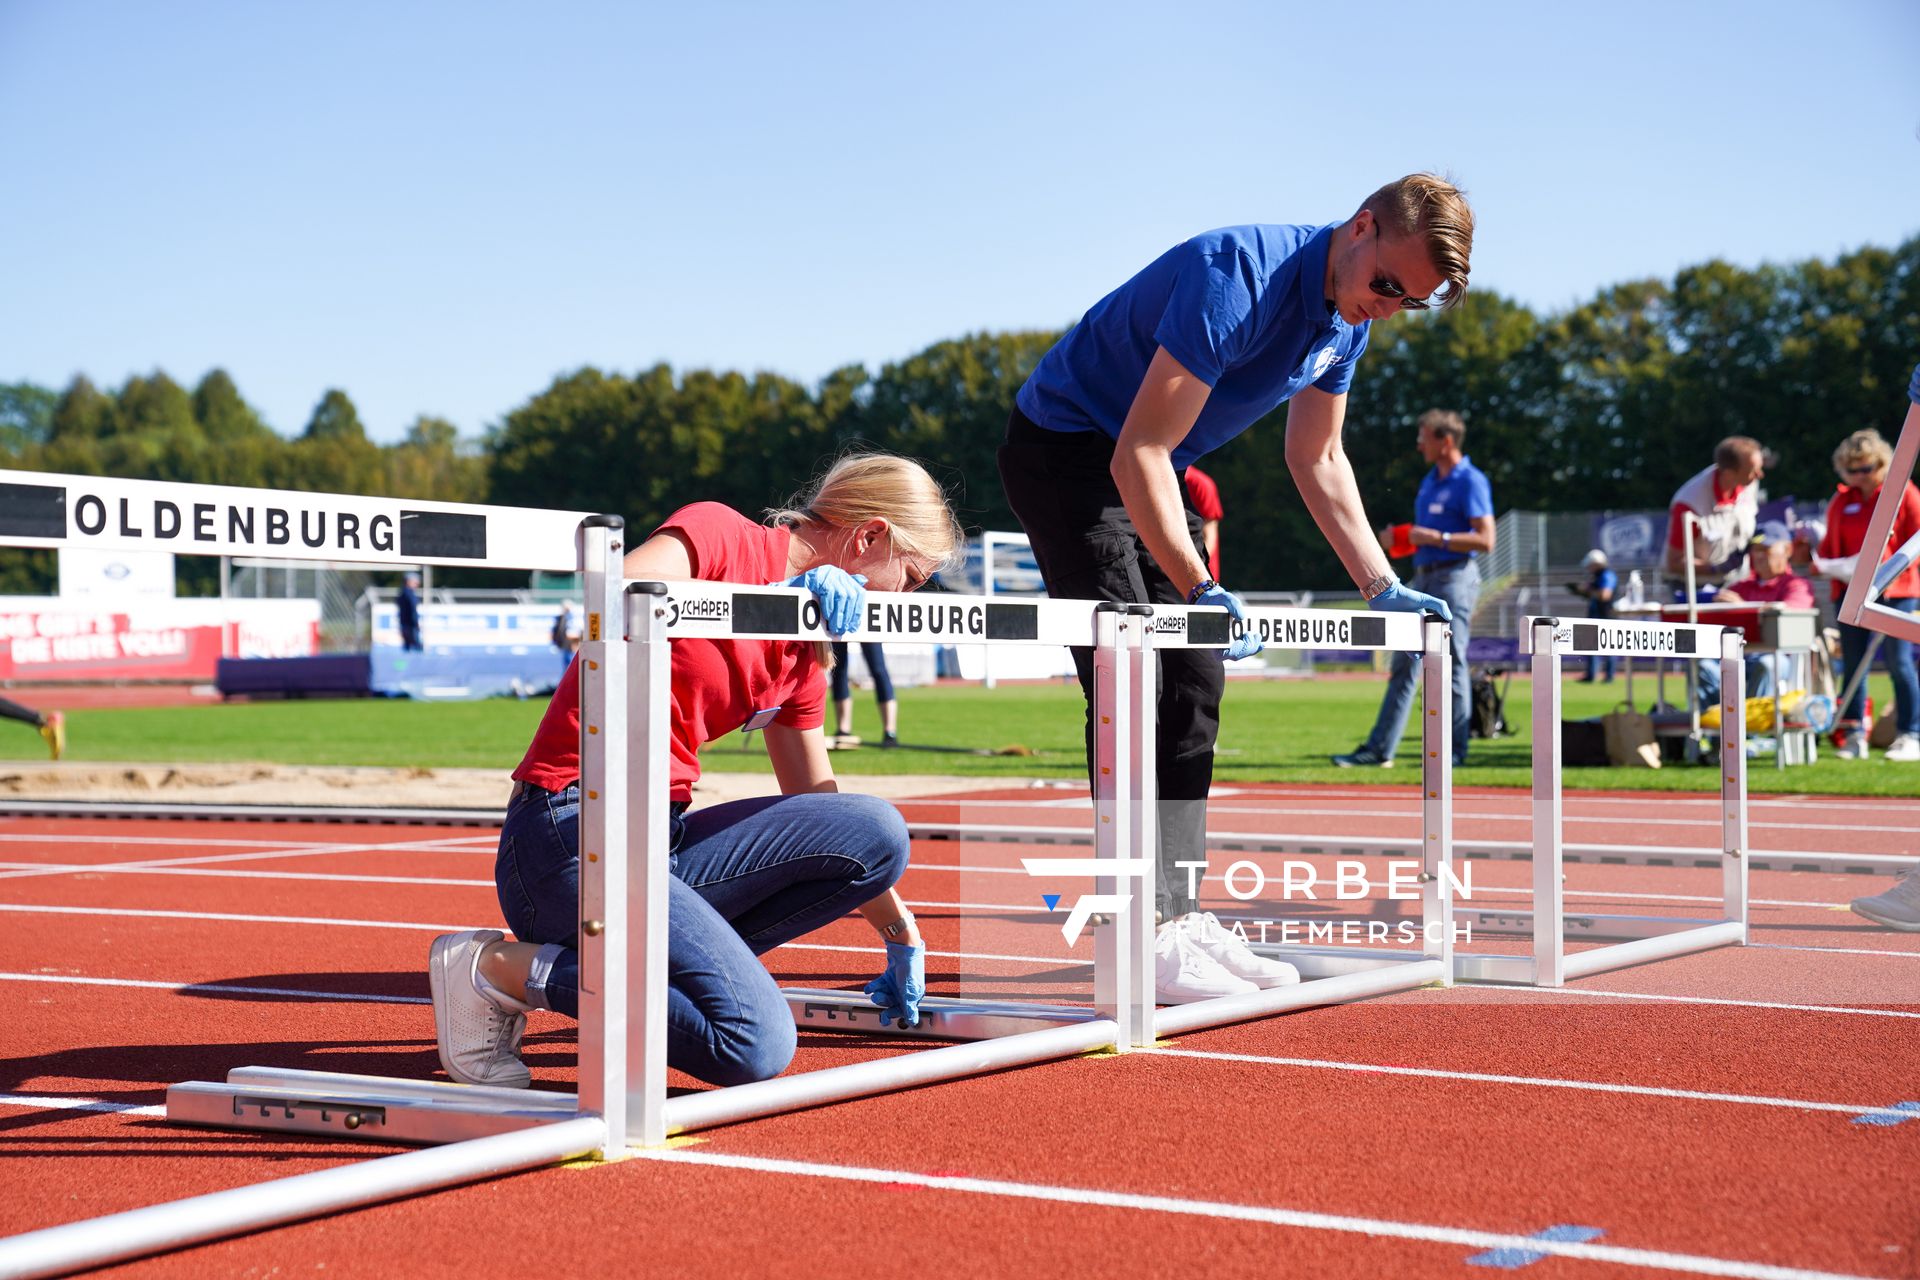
(1700, 1112)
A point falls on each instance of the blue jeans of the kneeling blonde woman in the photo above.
(746, 878)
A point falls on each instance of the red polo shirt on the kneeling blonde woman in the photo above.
(717, 684)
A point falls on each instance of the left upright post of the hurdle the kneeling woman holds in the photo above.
(648, 851)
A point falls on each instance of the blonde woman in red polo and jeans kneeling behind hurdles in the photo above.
(748, 876)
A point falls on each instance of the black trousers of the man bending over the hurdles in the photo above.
(1061, 486)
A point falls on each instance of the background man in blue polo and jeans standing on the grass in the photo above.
(1452, 525)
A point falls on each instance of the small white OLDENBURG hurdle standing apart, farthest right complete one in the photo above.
(1648, 937)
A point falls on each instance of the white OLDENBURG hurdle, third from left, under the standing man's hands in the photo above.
(1339, 974)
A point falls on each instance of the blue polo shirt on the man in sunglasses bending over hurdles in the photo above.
(1241, 308)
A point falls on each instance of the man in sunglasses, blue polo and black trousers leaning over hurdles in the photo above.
(1207, 341)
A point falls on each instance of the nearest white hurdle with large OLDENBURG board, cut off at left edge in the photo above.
(53, 511)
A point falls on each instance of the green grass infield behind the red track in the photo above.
(1272, 730)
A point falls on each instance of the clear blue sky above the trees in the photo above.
(443, 206)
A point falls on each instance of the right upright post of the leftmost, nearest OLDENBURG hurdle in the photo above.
(604, 830)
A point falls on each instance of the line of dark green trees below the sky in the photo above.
(1606, 406)
